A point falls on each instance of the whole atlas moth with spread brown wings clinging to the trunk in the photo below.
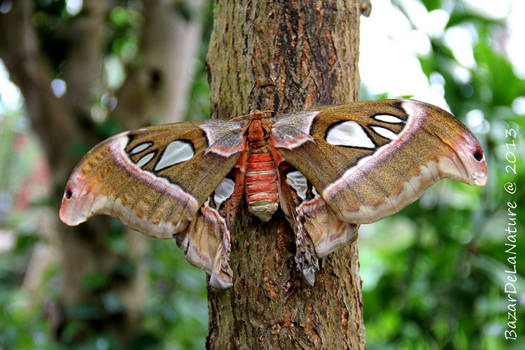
(329, 169)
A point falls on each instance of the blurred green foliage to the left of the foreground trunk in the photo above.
(175, 313)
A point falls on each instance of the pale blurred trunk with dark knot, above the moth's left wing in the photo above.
(158, 89)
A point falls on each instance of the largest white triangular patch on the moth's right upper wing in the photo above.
(349, 133)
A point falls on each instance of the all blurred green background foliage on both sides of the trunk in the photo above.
(433, 274)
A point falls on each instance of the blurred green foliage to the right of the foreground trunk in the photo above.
(434, 273)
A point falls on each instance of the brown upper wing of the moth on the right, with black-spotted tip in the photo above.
(370, 159)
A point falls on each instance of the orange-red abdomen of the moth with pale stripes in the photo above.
(261, 184)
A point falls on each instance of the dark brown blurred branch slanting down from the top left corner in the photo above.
(49, 116)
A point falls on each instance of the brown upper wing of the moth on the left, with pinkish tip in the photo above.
(153, 179)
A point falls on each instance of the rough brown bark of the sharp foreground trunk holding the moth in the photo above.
(284, 56)
